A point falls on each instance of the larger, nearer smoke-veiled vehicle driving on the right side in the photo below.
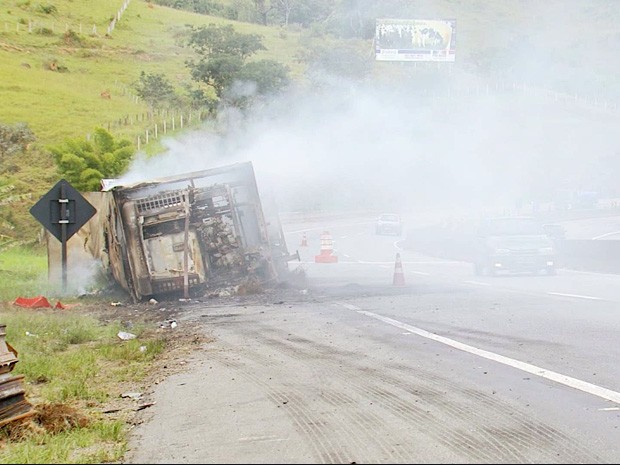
(513, 244)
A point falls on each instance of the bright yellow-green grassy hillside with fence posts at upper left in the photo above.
(68, 102)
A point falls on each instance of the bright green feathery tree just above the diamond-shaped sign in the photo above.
(84, 163)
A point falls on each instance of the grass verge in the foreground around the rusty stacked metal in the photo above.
(69, 358)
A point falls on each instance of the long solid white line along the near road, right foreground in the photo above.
(584, 386)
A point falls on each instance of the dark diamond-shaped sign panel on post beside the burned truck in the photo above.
(63, 205)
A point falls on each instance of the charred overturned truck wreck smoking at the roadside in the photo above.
(189, 232)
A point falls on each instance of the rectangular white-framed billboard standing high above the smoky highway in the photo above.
(415, 40)
